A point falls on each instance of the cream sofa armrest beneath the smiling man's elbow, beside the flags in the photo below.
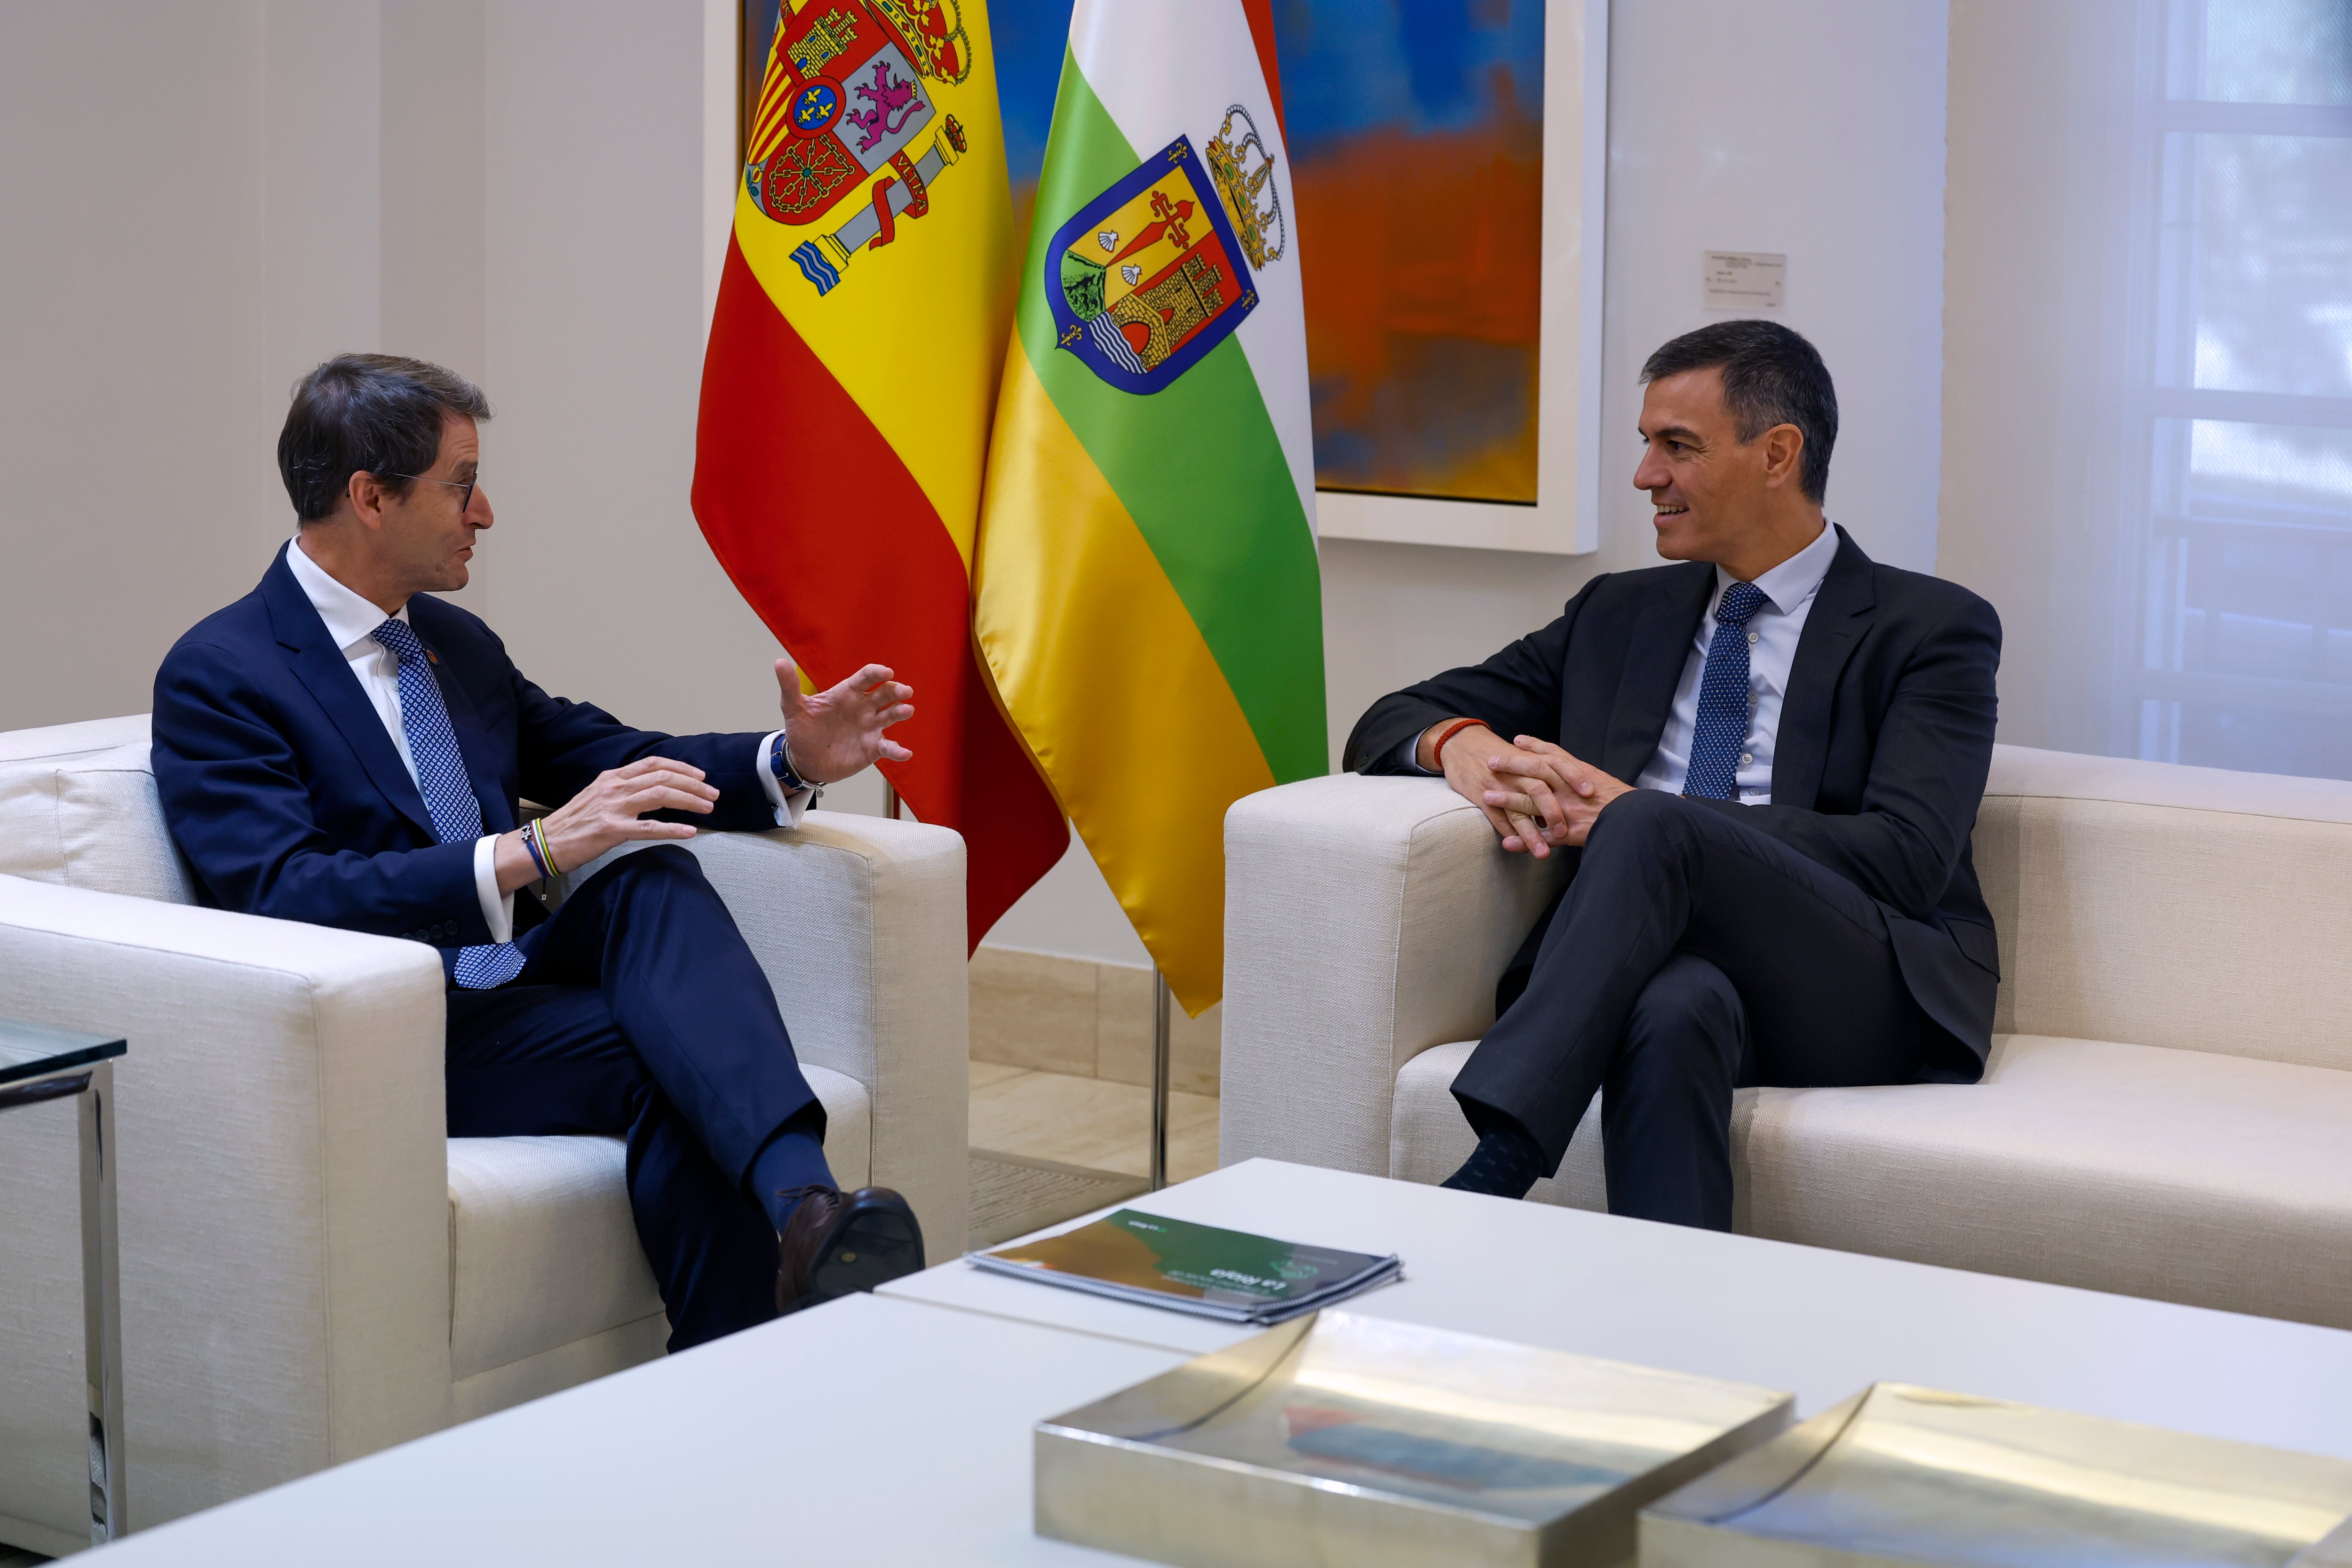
(1365, 923)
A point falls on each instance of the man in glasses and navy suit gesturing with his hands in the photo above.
(340, 746)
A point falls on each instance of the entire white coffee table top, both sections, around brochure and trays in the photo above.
(897, 1428)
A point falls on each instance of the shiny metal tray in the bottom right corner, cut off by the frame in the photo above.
(1906, 1475)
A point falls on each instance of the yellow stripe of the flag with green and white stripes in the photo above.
(1142, 732)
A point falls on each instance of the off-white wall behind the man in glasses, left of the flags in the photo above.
(208, 201)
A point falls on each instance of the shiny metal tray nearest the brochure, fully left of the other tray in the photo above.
(1354, 1440)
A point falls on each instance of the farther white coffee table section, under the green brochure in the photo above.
(1793, 1318)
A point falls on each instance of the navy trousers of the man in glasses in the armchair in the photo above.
(643, 1014)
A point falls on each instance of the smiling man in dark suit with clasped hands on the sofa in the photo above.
(1768, 763)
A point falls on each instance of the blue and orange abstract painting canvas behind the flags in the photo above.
(1417, 142)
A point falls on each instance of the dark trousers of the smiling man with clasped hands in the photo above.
(1692, 956)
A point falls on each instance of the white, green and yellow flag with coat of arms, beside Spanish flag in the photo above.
(1147, 582)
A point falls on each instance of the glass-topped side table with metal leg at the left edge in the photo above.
(39, 1064)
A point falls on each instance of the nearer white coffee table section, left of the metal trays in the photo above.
(860, 1433)
